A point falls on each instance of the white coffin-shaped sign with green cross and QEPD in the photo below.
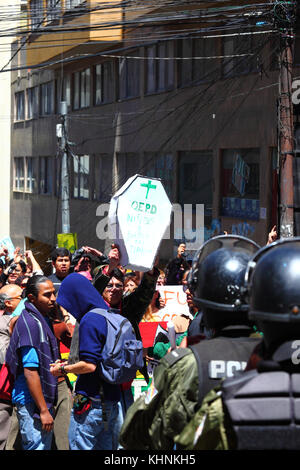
(139, 214)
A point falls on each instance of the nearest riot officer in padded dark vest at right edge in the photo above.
(258, 410)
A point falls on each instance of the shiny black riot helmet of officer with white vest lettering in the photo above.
(217, 277)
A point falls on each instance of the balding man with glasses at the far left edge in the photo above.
(10, 297)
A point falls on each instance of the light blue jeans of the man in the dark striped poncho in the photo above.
(33, 437)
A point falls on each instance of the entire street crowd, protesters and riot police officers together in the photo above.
(240, 330)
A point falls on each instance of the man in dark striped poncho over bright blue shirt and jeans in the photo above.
(33, 347)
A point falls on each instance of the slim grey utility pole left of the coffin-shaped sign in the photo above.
(65, 189)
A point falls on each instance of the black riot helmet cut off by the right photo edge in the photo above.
(273, 289)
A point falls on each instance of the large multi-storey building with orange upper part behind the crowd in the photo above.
(151, 92)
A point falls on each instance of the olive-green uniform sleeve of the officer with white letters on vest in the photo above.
(153, 420)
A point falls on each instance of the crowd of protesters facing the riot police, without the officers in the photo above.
(43, 316)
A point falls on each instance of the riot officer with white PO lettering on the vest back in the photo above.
(185, 375)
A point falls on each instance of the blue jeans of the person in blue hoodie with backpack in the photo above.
(87, 431)
